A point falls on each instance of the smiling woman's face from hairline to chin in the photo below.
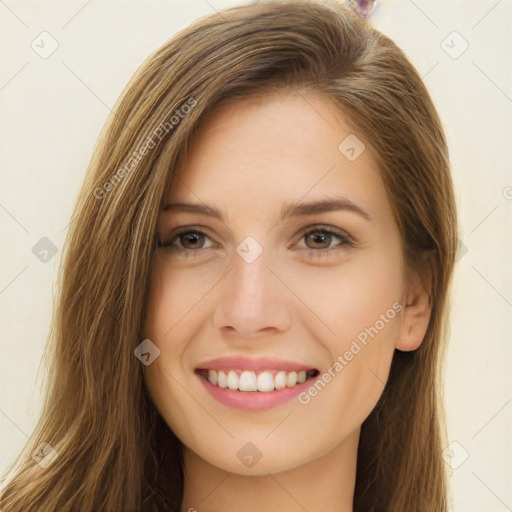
(280, 260)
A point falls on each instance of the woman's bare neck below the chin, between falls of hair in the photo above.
(326, 483)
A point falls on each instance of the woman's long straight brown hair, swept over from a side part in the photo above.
(115, 453)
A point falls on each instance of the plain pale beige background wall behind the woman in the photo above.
(53, 108)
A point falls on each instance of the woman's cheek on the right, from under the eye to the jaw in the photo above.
(359, 306)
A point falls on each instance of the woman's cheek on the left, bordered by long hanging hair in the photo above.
(175, 312)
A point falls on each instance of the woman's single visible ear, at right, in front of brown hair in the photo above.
(415, 315)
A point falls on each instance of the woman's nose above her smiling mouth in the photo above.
(252, 301)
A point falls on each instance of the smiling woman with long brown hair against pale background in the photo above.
(254, 298)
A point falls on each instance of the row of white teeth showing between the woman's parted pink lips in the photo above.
(250, 381)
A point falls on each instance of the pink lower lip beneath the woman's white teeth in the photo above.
(255, 400)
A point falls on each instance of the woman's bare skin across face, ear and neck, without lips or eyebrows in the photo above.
(305, 299)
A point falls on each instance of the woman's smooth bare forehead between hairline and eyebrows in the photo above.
(258, 154)
